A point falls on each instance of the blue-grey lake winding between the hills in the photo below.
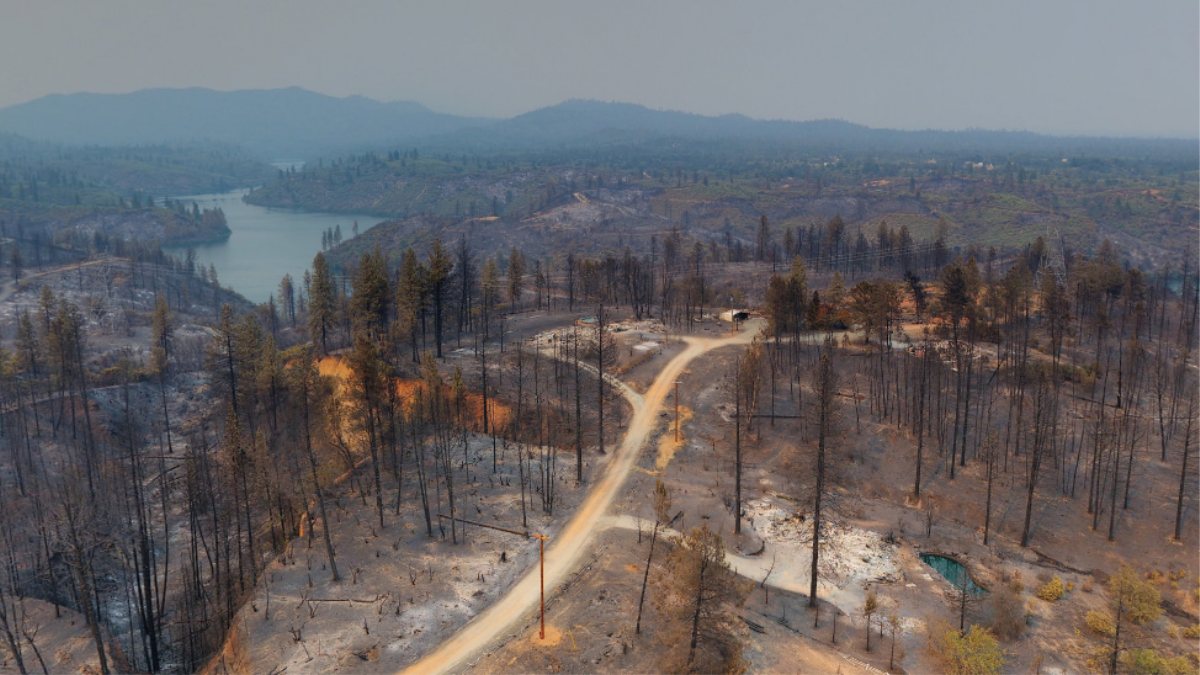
(266, 244)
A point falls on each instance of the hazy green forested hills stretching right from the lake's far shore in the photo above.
(1149, 207)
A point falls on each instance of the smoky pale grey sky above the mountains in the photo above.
(1087, 67)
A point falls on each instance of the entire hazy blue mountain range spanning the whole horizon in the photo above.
(297, 124)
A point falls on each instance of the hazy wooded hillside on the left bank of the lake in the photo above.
(57, 199)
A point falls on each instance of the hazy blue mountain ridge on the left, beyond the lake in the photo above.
(271, 123)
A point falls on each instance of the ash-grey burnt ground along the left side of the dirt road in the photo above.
(404, 592)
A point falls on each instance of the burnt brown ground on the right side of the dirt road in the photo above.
(591, 622)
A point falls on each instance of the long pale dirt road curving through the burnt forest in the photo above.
(568, 549)
